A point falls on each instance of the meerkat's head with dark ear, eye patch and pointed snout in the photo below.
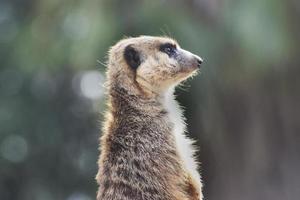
(150, 64)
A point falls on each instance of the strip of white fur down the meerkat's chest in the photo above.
(184, 145)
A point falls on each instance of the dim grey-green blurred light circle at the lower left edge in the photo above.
(14, 148)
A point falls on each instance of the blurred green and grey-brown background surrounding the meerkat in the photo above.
(243, 108)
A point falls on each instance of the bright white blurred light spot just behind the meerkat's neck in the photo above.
(89, 84)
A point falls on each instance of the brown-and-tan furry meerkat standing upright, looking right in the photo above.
(145, 154)
